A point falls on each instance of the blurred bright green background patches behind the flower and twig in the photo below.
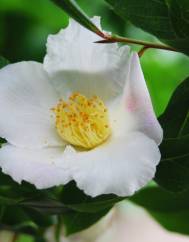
(25, 25)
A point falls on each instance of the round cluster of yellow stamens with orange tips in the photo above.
(81, 121)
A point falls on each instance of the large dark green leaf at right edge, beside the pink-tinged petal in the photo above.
(173, 170)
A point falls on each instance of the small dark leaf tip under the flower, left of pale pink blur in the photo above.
(75, 221)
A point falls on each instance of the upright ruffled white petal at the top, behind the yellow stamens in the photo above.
(78, 64)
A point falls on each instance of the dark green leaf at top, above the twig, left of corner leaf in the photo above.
(151, 16)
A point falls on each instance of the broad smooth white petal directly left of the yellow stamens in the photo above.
(26, 97)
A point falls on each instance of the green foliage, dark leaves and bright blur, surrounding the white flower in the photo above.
(24, 27)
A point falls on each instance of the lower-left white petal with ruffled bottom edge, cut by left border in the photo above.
(41, 167)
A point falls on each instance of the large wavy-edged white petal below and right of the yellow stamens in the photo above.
(120, 167)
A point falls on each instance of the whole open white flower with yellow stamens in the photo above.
(84, 115)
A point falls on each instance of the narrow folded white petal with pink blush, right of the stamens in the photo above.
(138, 103)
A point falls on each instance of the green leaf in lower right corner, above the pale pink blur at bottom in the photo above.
(171, 210)
